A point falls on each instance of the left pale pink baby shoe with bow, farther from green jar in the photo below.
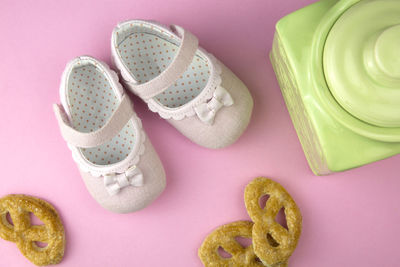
(116, 159)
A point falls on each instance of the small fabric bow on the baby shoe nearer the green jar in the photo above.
(207, 111)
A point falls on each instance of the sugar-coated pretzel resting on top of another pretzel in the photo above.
(272, 242)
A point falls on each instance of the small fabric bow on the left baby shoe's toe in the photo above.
(114, 182)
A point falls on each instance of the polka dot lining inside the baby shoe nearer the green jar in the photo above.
(147, 55)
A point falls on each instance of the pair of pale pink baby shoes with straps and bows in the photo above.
(180, 81)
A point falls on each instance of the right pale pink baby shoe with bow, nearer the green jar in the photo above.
(180, 81)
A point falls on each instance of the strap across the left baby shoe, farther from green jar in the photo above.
(118, 119)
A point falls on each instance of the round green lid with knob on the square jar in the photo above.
(361, 61)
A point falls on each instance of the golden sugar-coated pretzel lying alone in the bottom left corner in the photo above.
(25, 235)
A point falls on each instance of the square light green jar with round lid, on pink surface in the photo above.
(338, 66)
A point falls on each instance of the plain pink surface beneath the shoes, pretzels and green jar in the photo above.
(349, 219)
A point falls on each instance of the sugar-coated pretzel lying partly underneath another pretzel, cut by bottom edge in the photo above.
(224, 237)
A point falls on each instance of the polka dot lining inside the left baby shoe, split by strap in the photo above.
(92, 101)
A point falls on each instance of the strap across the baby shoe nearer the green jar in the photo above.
(180, 63)
